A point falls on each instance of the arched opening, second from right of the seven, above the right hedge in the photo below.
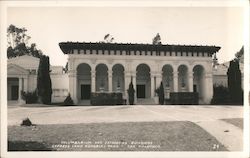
(182, 78)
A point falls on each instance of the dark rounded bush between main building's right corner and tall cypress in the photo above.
(220, 95)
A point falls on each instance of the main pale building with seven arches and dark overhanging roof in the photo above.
(110, 67)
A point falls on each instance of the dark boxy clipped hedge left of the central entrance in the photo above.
(106, 99)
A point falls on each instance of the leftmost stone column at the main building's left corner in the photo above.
(73, 85)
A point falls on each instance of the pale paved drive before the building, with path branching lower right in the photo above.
(208, 117)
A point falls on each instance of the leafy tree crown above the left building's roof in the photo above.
(18, 43)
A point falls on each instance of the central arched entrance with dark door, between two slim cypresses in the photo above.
(143, 81)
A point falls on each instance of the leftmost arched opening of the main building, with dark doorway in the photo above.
(83, 81)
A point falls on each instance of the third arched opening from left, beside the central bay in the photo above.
(118, 78)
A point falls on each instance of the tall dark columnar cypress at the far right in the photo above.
(234, 83)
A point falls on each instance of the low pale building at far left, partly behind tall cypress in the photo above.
(22, 75)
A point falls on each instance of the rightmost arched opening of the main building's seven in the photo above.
(199, 81)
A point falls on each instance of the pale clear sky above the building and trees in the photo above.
(48, 26)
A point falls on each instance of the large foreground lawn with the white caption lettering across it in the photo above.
(143, 136)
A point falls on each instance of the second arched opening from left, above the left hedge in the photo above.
(101, 77)
